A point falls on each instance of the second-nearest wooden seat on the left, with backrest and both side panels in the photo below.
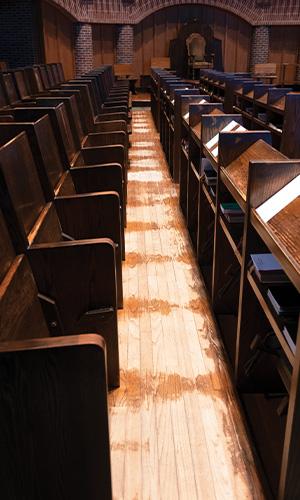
(73, 262)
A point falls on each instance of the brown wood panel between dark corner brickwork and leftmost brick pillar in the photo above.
(58, 38)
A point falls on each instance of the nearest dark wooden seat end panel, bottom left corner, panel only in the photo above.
(54, 419)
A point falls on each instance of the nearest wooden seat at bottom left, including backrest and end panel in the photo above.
(39, 374)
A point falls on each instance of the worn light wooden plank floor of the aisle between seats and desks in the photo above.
(176, 431)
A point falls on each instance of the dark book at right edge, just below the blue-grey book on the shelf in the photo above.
(285, 300)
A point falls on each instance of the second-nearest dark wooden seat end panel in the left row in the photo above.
(81, 278)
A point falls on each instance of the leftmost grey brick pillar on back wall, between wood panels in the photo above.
(83, 47)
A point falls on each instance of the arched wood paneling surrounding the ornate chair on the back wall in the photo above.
(153, 34)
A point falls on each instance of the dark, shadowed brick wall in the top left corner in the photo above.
(20, 37)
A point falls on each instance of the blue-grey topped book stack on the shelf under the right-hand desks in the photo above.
(267, 268)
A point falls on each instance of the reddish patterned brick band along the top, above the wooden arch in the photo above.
(255, 12)
